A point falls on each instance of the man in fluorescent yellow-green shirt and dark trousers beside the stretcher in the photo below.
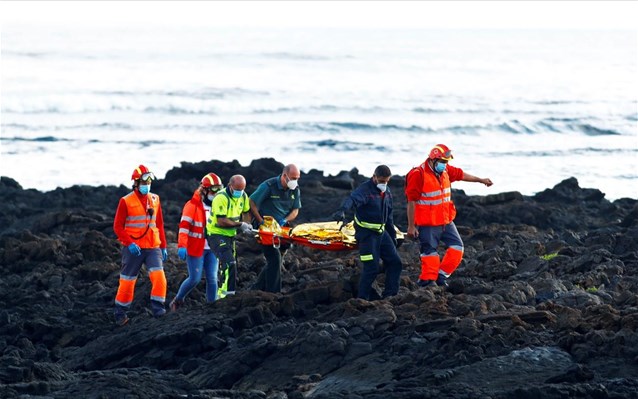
(229, 208)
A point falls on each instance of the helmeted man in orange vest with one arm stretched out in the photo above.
(431, 213)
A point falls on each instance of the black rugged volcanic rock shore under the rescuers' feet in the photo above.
(544, 305)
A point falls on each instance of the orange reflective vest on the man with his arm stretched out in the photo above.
(434, 207)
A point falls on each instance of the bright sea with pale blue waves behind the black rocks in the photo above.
(525, 108)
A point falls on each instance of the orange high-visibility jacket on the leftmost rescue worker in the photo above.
(140, 223)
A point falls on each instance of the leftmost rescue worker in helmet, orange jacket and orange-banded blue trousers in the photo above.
(139, 226)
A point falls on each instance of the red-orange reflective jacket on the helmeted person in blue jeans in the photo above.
(192, 226)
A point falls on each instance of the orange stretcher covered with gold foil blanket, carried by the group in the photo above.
(327, 236)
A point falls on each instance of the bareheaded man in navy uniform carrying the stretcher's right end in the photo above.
(374, 232)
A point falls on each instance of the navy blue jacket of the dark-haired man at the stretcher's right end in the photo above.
(370, 207)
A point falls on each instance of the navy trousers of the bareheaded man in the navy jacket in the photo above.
(374, 247)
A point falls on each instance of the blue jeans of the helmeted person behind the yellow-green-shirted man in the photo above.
(208, 264)
